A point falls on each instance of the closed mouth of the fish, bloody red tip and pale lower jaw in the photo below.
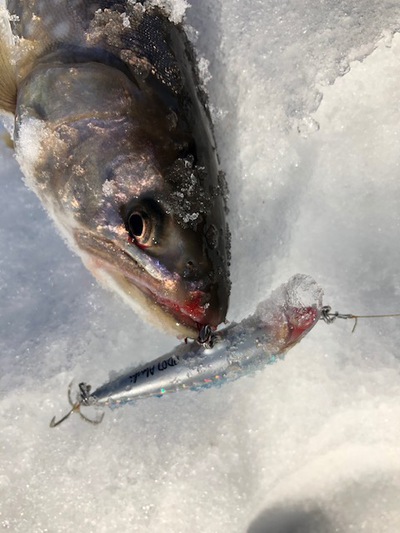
(165, 299)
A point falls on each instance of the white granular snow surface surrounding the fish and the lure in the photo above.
(306, 97)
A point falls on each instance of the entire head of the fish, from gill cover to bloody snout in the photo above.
(146, 217)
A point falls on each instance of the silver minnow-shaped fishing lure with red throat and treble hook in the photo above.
(240, 349)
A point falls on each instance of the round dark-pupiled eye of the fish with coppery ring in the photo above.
(142, 221)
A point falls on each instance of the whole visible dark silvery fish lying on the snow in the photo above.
(112, 131)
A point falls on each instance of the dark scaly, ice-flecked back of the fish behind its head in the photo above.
(154, 52)
